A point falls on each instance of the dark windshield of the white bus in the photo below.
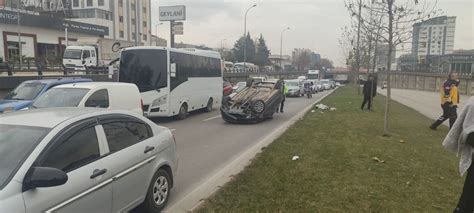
(146, 68)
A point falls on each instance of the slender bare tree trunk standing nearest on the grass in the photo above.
(389, 66)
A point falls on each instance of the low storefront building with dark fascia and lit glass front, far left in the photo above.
(41, 36)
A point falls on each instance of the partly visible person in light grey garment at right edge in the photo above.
(460, 140)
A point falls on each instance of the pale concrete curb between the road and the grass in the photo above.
(193, 199)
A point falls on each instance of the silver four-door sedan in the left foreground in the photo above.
(84, 160)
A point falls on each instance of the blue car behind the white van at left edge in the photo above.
(25, 93)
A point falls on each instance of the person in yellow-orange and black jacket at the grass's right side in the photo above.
(449, 101)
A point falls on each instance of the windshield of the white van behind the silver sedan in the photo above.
(60, 97)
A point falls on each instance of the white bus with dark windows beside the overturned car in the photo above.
(173, 82)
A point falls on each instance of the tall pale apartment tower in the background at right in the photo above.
(433, 37)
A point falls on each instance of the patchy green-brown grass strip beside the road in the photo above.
(345, 165)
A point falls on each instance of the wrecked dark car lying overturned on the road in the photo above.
(255, 103)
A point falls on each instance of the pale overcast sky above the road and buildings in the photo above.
(315, 24)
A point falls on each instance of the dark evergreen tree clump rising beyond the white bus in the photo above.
(257, 51)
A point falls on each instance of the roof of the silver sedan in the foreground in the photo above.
(46, 117)
